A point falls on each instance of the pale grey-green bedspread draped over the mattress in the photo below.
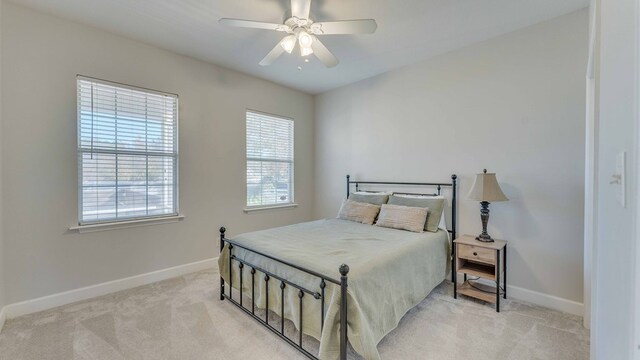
(391, 272)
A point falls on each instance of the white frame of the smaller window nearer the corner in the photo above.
(291, 203)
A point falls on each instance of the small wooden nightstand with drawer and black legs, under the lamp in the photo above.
(483, 260)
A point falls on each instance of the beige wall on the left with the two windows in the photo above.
(41, 57)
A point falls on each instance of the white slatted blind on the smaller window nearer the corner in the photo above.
(269, 160)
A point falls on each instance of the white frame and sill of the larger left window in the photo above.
(132, 221)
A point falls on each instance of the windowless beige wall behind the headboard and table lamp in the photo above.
(513, 104)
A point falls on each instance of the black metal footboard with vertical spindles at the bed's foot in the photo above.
(283, 283)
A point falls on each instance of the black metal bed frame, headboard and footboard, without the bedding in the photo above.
(318, 294)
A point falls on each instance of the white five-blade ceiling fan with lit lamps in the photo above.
(303, 31)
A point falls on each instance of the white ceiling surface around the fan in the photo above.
(408, 31)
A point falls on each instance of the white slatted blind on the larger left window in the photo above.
(127, 152)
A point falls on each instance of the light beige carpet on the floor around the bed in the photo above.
(183, 319)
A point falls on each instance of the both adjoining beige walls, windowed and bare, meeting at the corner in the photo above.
(514, 104)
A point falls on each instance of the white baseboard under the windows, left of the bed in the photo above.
(51, 301)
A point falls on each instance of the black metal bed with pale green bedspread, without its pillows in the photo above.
(300, 273)
